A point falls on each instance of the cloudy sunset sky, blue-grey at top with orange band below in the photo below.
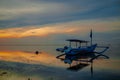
(47, 21)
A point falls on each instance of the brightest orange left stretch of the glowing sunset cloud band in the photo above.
(30, 31)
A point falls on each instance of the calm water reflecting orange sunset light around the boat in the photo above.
(21, 61)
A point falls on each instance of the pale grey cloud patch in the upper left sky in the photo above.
(16, 8)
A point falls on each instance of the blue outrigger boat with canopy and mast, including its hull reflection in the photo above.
(80, 53)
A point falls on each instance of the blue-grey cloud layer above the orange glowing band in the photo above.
(20, 13)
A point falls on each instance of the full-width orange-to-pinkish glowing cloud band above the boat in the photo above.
(75, 27)
